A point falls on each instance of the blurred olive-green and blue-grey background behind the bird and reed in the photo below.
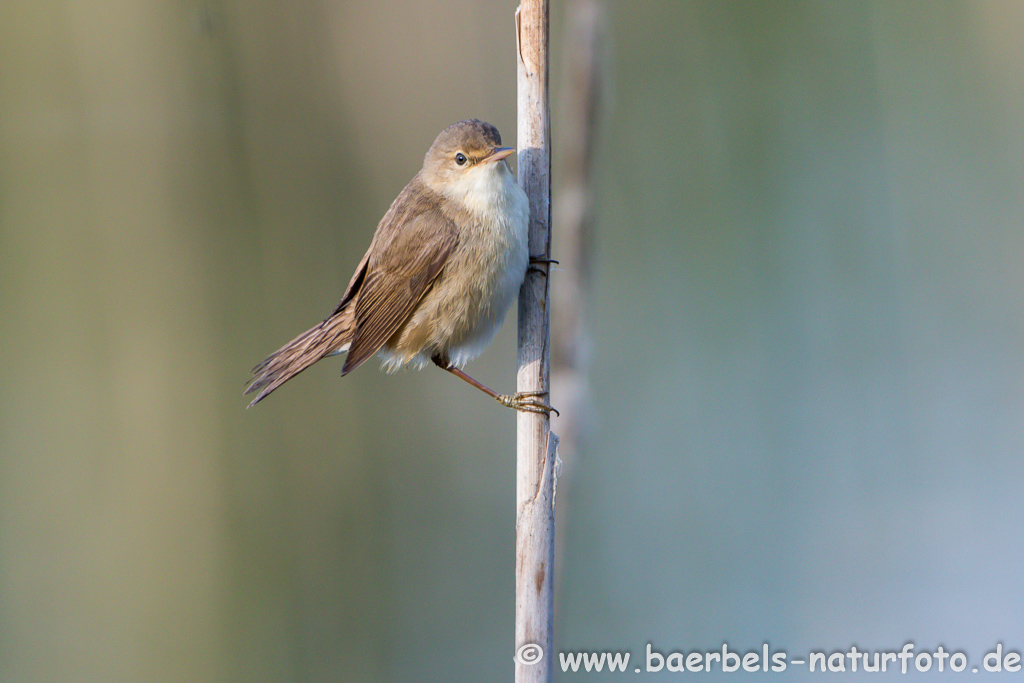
(806, 339)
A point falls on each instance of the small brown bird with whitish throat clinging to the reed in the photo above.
(445, 264)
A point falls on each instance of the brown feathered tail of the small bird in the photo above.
(331, 336)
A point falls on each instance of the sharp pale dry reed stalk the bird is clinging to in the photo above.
(537, 447)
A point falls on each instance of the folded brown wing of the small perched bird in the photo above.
(409, 255)
